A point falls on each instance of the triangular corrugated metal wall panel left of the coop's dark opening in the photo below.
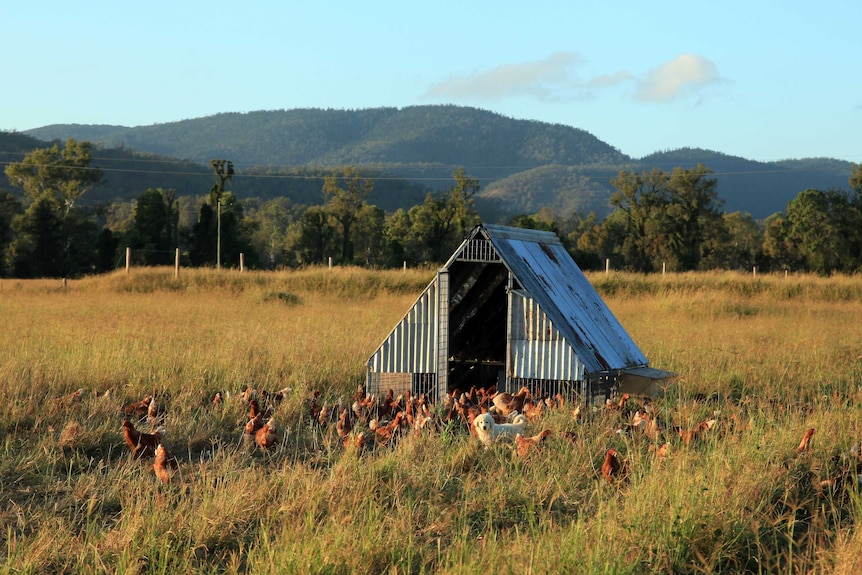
(411, 346)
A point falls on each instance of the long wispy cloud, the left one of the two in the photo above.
(553, 78)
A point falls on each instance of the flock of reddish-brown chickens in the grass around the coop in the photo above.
(371, 422)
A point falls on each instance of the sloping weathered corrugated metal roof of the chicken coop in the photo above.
(541, 264)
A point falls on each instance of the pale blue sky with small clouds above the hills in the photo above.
(763, 80)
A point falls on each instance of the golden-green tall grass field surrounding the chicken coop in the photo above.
(782, 354)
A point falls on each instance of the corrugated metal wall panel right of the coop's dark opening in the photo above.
(537, 349)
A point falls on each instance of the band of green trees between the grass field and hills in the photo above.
(660, 221)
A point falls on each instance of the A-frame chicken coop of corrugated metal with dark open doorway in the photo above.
(512, 309)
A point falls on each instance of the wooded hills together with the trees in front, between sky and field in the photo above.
(388, 187)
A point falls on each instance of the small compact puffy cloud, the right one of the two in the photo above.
(685, 74)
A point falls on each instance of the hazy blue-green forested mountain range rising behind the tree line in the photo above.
(561, 167)
